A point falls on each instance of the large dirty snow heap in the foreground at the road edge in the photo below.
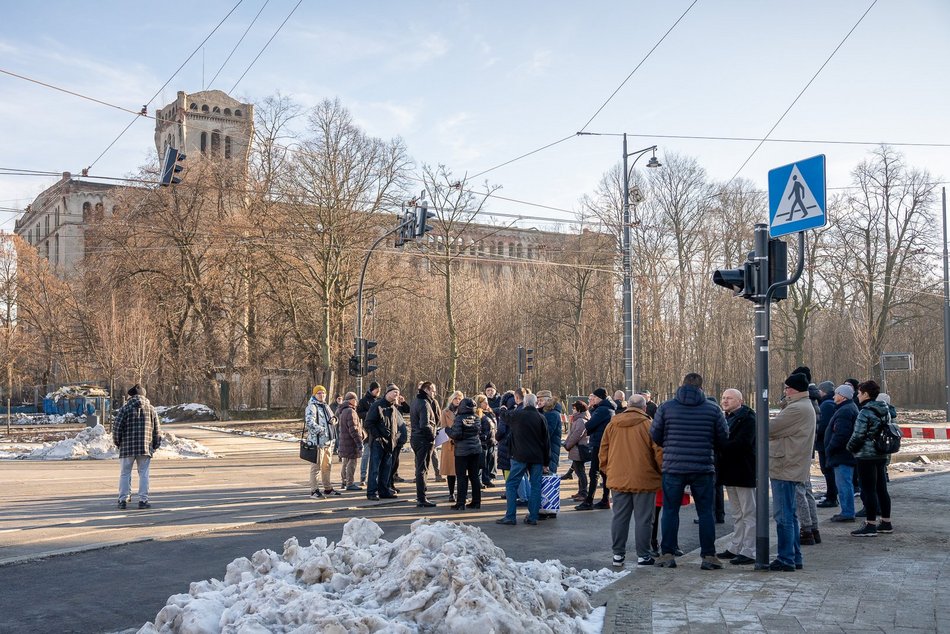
(441, 577)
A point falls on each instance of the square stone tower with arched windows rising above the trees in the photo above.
(209, 122)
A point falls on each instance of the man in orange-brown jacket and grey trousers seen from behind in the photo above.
(631, 461)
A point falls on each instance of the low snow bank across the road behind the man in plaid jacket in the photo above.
(94, 443)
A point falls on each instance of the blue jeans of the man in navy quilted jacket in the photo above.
(702, 486)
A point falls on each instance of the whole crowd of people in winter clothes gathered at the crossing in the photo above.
(644, 461)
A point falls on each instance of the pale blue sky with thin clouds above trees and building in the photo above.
(472, 85)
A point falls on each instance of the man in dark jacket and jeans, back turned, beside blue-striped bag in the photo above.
(530, 452)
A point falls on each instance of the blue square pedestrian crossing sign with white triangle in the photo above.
(797, 196)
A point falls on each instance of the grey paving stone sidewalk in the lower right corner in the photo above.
(888, 583)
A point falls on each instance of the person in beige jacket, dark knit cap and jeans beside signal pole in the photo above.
(791, 439)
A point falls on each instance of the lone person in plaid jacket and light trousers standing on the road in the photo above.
(137, 432)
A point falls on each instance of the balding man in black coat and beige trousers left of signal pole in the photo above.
(735, 470)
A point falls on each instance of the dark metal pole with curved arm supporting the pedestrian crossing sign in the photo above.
(763, 302)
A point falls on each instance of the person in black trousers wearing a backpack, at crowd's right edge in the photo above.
(873, 417)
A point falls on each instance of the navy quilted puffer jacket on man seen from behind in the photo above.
(689, 428)
